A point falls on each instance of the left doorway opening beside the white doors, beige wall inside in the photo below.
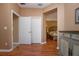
(15, 27)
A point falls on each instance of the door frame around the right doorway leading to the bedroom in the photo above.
(44, 33)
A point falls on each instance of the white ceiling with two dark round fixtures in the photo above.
(33, 5)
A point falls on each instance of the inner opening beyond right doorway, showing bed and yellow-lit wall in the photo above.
(51, 30)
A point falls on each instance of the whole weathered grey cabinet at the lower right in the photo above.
(69, 43)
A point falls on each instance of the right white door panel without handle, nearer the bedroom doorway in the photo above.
(36, 29)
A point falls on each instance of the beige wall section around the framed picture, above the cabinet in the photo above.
(70, 17)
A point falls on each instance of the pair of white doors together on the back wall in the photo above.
(30, 29)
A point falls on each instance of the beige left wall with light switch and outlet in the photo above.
(5, 20)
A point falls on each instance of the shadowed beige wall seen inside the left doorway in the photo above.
(15, 28)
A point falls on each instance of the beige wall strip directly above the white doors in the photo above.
(30, 12)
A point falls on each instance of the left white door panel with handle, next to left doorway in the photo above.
(25, 30)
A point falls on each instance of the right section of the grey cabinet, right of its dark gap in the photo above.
(75, 45)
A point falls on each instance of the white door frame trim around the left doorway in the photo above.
(13, 12)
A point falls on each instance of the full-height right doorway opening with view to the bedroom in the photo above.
(50, 22)
